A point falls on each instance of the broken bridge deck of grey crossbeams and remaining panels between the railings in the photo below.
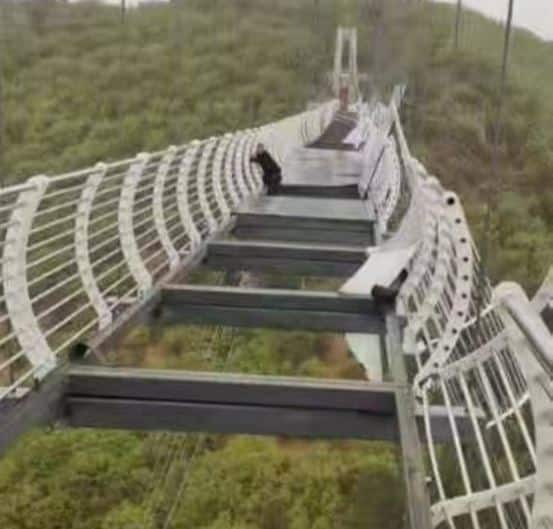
(318, 225)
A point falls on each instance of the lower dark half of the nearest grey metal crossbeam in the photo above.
(142, 415)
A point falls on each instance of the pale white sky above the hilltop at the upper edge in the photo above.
(536, 15)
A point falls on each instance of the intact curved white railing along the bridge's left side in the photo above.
(75, 249)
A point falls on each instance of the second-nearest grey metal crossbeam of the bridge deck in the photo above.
(268, 308)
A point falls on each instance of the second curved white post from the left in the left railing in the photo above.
(82, 254)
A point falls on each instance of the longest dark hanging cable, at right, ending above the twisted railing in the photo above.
(496, 140)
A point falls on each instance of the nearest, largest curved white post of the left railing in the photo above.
(14, 270)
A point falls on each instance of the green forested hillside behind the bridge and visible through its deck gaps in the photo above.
(81, 84)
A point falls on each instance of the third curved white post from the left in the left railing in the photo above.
(131, 252)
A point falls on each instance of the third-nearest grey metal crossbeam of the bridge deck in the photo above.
(290, 258)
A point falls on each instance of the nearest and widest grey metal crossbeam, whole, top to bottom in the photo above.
(219, 403)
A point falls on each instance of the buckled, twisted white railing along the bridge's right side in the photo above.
(462, 352)
